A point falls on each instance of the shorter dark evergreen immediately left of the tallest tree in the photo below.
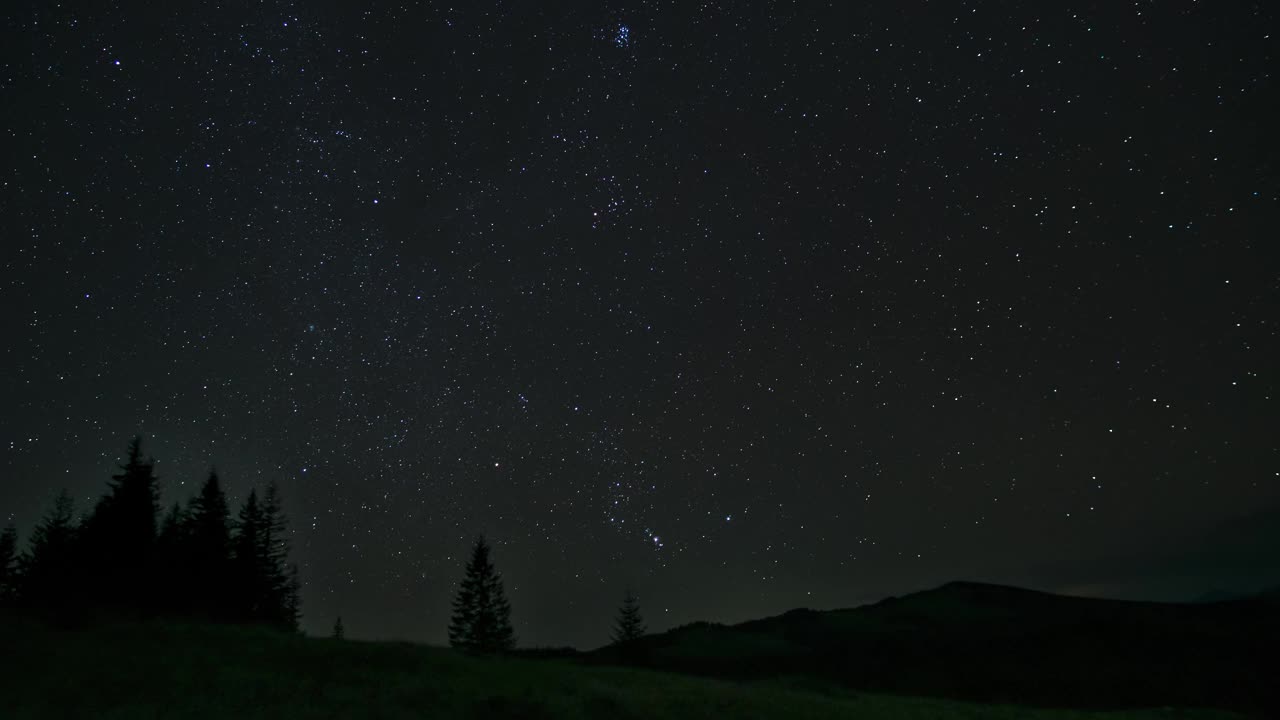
(49, 567)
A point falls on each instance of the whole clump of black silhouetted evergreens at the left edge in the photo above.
(124, 558)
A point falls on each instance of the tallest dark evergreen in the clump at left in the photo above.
(121, 536)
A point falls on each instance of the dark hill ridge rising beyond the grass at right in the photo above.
(996, 644)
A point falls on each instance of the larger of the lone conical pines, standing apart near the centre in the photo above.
(482, 616)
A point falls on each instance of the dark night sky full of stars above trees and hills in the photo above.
(743, 307)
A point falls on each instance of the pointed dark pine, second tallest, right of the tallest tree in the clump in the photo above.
(209, 549)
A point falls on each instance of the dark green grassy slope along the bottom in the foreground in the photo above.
(164, 671)
